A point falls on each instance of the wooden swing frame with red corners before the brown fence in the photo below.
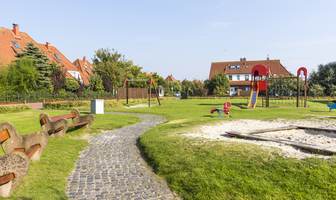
(135, 92)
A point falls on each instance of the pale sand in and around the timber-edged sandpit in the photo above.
(318, 138)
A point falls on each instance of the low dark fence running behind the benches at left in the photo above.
(39, 97)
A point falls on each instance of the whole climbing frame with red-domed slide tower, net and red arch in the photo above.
(277, 89)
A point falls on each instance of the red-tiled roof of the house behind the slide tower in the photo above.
(274, 66)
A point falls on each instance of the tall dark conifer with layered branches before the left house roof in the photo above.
(40, 63)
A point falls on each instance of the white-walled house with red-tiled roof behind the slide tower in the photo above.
(239, 72)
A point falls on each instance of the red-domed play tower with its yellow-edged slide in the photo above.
(258, 83)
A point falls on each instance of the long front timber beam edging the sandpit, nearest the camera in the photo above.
(309, 147)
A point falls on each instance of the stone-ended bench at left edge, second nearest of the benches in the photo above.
(32, 144)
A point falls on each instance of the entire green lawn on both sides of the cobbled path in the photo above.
(194, 168)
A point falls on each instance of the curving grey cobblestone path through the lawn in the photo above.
(111, 167)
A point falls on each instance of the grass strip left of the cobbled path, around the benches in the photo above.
(46, 179)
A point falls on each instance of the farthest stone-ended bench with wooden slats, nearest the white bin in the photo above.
(58, 125)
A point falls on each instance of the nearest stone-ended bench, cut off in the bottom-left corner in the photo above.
(13, 167)
